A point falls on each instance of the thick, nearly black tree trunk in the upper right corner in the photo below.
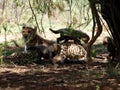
(110, 10)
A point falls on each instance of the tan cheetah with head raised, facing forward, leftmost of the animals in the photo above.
(31, 38)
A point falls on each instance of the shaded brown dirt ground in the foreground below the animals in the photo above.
(72, 75)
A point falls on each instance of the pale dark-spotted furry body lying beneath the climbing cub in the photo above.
(73, 51)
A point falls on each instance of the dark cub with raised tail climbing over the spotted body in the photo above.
(71, 34)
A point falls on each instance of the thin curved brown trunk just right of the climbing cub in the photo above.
(96, 20)
